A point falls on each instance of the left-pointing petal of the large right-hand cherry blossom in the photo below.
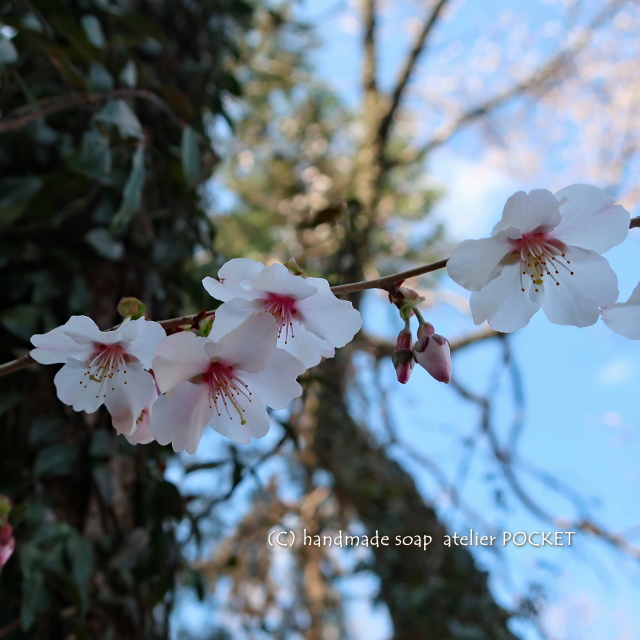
(474, 263)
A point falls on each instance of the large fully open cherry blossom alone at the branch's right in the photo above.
(545, 252)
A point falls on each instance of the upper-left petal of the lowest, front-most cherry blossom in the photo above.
(179, 357)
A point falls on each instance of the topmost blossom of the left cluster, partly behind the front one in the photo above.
(311, 320)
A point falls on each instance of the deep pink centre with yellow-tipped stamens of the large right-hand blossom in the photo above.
(540, 255)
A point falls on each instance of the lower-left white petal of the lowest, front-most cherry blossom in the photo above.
(180, 416)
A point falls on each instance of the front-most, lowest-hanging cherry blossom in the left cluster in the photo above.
(222, 381)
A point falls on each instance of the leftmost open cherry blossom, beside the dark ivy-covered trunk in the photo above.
(103, 367)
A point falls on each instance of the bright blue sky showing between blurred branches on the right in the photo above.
(580, 385)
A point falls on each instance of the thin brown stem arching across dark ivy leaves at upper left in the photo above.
(21, 117)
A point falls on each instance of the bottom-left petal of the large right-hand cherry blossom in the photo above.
(503, 303)
